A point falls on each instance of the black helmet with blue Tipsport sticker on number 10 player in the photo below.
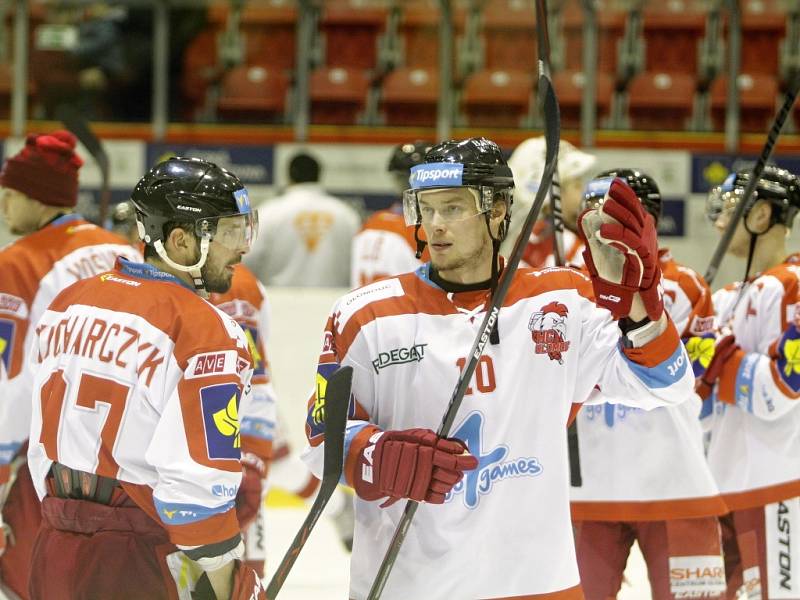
(476, 163)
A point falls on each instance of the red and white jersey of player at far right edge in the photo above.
(755, 434)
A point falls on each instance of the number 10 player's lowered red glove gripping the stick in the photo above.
(413, 463)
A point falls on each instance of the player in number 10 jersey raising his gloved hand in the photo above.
(494, 522)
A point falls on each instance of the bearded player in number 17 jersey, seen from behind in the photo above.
(136, 440)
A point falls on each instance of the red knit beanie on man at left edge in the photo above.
(46, 169)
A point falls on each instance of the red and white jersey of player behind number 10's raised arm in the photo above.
(669, 477)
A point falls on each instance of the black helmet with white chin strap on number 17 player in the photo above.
(199, 193)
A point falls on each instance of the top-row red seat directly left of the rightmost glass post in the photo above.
(672, 31)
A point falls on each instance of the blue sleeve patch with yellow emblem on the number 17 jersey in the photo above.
(220, 407)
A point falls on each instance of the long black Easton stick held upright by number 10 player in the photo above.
(552, 134)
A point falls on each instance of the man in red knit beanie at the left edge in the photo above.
(57, 247)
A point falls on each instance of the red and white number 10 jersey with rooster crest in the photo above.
(407, 339)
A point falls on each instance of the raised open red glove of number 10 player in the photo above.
(622, 252)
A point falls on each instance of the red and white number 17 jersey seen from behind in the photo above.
(139, 379)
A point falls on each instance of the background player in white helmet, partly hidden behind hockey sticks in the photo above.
(574, 170)
